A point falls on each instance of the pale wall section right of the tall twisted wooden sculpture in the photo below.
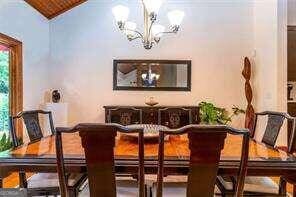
(270, 61)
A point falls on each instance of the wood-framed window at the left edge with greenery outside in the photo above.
(11, 83)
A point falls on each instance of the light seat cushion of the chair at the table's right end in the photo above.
(253, 184)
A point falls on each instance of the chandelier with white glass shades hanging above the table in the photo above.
(152, 31)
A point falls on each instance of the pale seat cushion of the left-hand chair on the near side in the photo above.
(124, 188)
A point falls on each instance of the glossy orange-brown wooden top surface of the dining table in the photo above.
(175, 147)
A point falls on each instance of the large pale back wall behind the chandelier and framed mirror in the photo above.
(215, 35)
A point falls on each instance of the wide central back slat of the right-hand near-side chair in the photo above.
(205, 150)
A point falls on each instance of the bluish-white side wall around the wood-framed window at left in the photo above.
(21, 21)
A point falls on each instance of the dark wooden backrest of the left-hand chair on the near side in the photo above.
(98, 141)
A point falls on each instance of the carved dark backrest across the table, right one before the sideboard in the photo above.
(174, 117)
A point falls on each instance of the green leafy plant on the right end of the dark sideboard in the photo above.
(210, 114)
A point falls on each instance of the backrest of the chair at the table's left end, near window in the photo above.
(32, 123)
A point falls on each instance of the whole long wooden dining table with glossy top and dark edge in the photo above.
(40, 156)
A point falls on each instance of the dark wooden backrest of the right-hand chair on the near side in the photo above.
(205, 144)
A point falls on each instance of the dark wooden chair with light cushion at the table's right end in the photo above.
(256, 185)
